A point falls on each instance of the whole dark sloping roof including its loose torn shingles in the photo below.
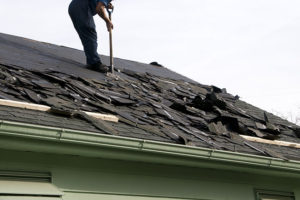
(151, 102)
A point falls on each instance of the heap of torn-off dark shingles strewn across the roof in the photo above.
(187, 113)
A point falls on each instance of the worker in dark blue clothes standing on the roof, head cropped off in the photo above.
(81, 13)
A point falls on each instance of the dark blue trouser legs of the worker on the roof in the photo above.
(84, 24)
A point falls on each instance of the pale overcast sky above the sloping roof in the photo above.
(249, 47)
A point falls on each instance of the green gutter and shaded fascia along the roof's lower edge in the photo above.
(42, 139)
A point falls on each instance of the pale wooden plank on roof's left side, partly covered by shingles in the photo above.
(37, 107)
